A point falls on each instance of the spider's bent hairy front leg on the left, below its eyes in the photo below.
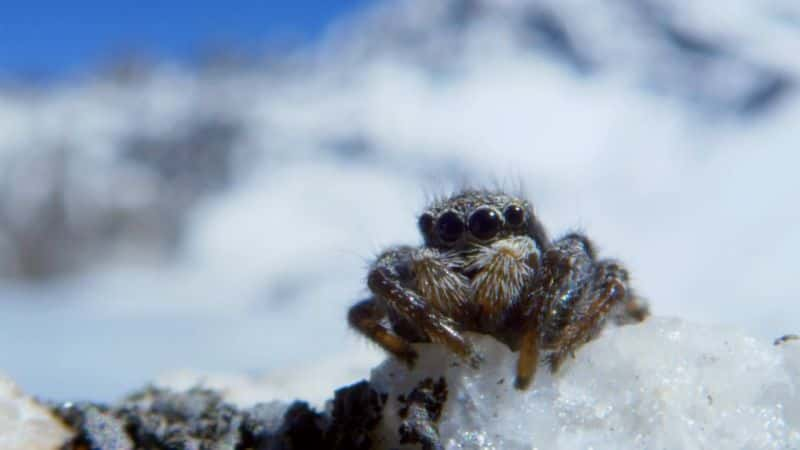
(420, 286)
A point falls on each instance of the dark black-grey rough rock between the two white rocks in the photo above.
(199, 419)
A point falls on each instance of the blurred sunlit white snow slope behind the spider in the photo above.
(649, 147)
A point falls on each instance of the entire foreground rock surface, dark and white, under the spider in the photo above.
(662, 384)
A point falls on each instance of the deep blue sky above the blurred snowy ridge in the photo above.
(61, 37)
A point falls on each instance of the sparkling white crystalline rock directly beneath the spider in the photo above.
(663, 384)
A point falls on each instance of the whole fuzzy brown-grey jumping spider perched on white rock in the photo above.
(487, 266)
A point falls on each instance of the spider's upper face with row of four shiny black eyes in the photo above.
(473, 218)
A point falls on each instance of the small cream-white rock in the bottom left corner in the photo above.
(25, 424)
